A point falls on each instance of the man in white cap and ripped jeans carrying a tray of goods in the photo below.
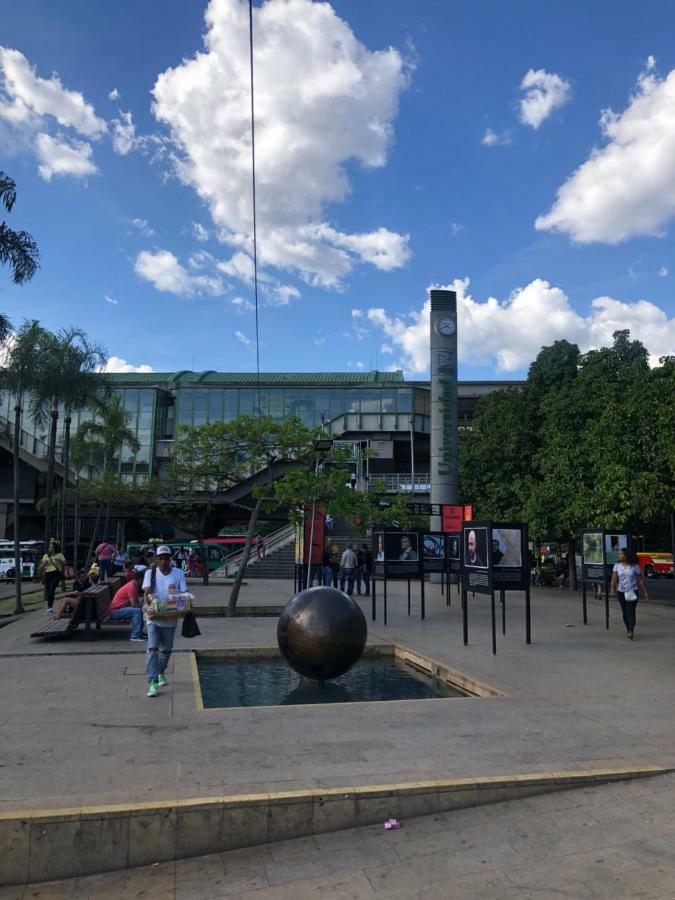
(159, 582)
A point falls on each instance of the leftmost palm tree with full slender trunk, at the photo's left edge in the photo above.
(23, 355)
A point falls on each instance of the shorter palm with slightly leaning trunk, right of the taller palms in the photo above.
(106, 436)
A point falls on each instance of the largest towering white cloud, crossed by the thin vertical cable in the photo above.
(322, 100)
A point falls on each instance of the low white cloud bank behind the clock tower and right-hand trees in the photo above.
(510, 333)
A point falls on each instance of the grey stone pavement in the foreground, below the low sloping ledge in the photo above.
(612, 841)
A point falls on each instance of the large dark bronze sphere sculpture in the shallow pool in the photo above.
(322, 633)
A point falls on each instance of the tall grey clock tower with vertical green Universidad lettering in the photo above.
(443, 346)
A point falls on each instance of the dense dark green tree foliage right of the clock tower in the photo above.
(589, 440)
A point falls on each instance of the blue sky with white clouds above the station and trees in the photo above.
(401, 145)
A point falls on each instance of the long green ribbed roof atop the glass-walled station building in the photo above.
(250, 378)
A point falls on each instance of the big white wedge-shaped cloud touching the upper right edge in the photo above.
(626, 188)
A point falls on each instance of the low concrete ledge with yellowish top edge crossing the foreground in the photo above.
(43, 845)
